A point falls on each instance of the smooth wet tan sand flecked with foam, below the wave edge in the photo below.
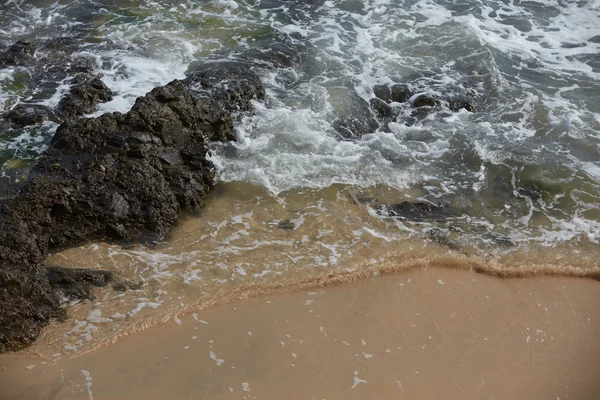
(426, 334)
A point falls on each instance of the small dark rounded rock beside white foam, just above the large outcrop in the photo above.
(83, 98)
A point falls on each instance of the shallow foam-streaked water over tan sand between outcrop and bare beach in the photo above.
(247, 243)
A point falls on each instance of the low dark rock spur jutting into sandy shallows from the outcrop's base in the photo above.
(76, 283)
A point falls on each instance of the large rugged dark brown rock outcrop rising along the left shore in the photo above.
(119, 177)
